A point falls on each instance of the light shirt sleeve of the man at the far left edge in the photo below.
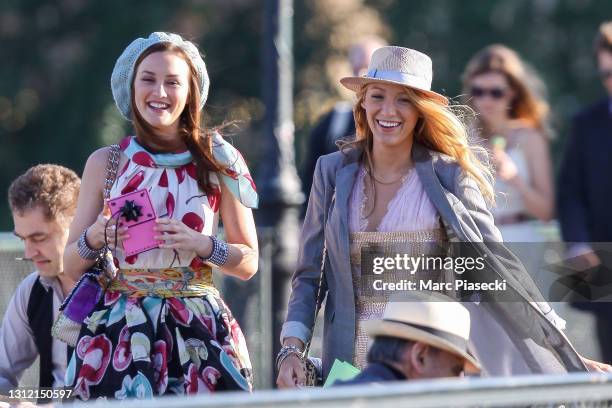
(17, 348)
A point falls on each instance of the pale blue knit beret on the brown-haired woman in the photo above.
(123, 73)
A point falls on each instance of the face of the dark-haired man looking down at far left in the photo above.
(44, 239)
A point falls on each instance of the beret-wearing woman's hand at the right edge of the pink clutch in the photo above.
(176, 235)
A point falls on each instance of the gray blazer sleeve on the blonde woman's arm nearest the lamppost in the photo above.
(304, 284)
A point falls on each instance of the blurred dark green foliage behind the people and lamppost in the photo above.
(57, 56)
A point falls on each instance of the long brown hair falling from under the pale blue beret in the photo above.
(197, 139)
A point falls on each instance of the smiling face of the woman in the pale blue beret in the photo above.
(161, 88)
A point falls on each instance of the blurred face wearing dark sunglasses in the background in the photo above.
(491, 96)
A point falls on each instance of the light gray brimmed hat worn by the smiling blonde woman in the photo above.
(398, 66)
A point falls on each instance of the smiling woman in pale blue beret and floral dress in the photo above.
(161, 327)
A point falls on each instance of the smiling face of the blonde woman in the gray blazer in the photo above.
(390, 114)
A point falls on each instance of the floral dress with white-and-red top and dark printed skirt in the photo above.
(141, 345)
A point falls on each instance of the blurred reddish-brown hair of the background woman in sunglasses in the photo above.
(528, 106)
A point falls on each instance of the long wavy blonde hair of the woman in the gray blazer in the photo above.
(439, 128)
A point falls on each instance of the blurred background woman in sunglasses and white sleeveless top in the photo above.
(512, 118)
